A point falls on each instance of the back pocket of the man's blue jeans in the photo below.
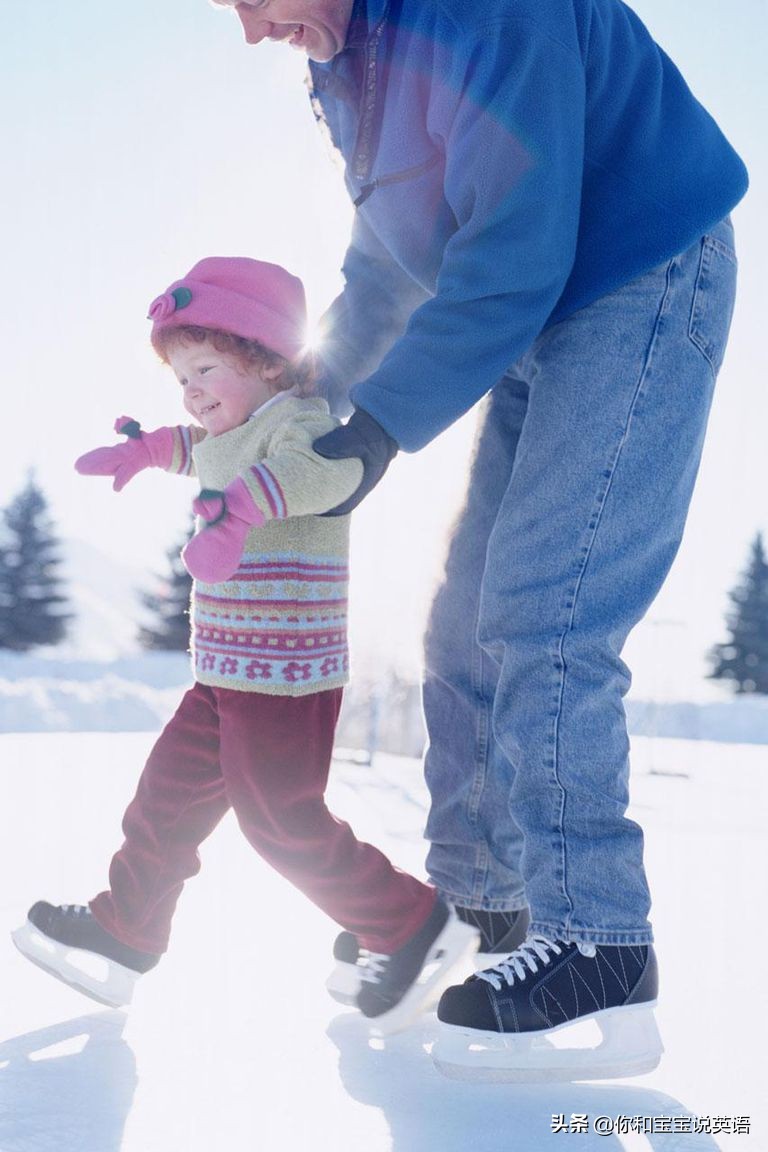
(713, 301)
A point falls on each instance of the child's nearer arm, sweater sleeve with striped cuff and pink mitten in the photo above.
(292, 481)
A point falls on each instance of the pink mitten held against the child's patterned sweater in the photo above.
(216, 552)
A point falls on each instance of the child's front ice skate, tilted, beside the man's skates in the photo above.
(396, 989)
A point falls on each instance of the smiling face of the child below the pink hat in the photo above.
(219, 392)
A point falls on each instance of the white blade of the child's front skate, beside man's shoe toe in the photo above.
(448, 961)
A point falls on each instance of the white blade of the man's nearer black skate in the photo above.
(630, 1047)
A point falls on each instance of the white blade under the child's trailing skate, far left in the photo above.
(98, 977)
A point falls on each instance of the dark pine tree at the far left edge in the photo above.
(31, 588)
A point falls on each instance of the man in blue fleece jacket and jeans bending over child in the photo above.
(542, 211)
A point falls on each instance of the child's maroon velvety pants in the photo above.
(268, 757)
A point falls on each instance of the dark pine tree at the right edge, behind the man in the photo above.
(744, 658)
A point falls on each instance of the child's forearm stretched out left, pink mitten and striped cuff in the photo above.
(170, 449)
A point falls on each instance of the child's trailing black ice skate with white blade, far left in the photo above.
(67, 943)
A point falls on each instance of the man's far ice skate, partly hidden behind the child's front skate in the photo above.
(499, 935)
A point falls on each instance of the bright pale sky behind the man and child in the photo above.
(142, 137)
